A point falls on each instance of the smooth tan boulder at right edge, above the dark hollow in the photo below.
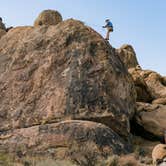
(152, 117)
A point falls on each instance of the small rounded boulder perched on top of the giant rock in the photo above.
(48, 17)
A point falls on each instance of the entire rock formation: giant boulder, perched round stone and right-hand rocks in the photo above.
(67, 93)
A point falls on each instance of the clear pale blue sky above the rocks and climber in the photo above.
(141, 23)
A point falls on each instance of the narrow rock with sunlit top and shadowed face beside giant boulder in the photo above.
(143, 92)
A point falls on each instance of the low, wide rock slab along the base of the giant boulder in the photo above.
(58, 138)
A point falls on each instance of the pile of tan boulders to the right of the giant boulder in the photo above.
(151, 97)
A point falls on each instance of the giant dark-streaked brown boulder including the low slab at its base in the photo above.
(58, 73)
